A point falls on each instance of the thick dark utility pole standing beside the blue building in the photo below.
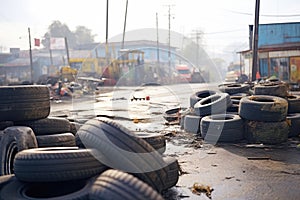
(255, 44)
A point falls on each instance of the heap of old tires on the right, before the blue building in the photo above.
(261, 113)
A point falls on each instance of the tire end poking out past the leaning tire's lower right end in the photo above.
(173, 171)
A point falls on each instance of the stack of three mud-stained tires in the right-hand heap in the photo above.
(265, 113)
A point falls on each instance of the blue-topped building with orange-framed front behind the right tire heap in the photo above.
(278, 51)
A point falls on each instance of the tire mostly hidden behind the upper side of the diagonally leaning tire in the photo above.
(157, 141)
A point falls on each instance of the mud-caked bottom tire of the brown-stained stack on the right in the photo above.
(266, 132)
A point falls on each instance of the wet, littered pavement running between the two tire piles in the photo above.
(233, 171)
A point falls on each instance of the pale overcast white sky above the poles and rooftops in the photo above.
(224, 23)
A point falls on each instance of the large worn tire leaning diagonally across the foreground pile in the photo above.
(119, 148)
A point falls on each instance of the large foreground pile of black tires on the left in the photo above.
(45, 157)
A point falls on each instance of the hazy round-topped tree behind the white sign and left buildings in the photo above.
(57, 29)
